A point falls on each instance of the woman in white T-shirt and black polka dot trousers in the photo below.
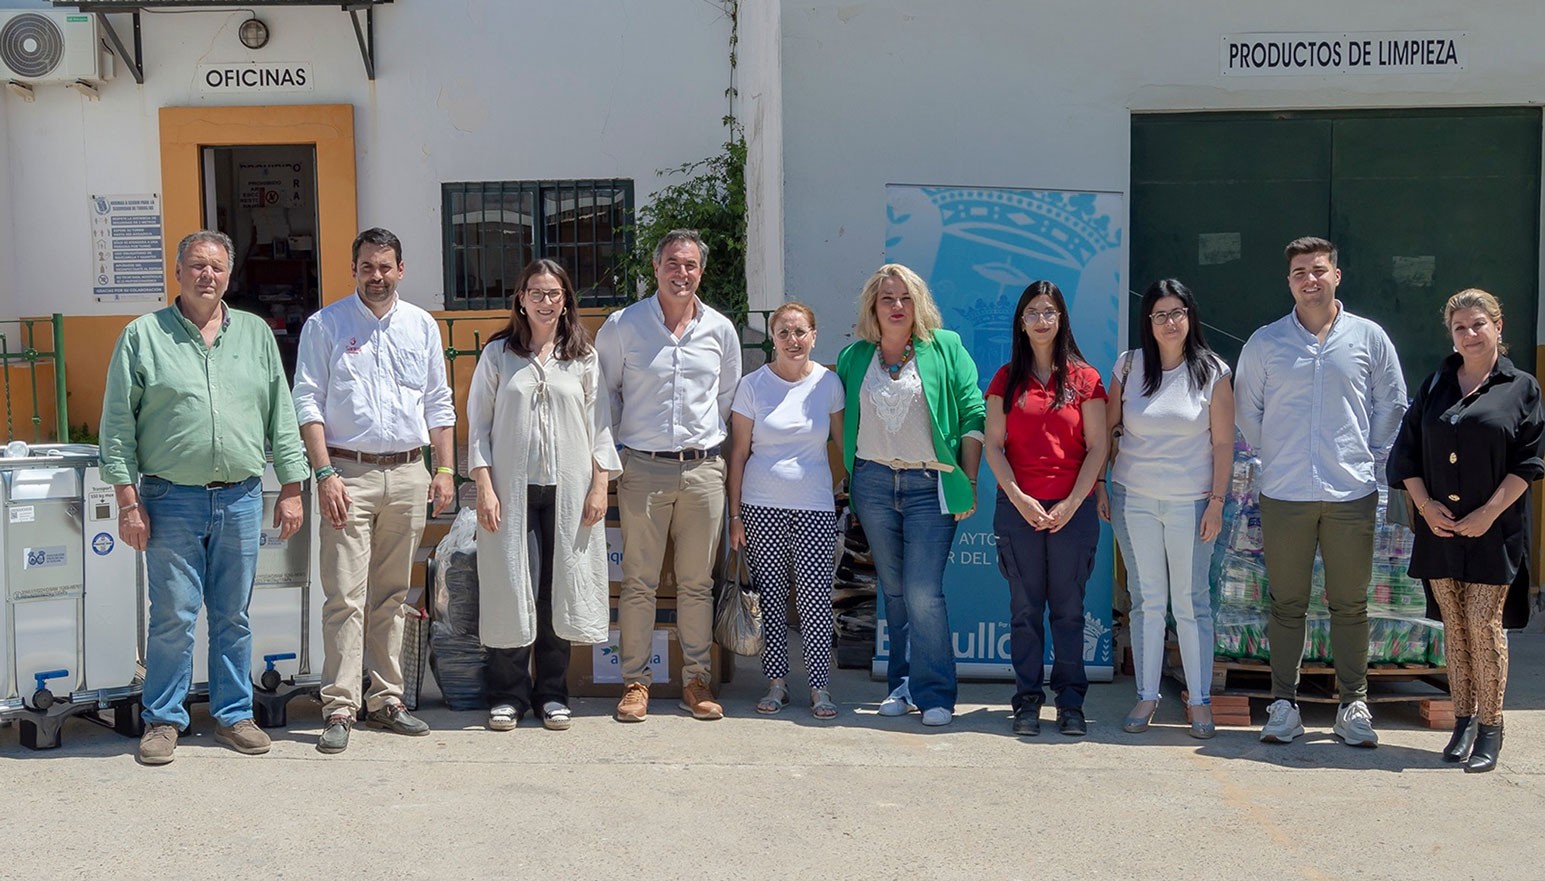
(781, 502)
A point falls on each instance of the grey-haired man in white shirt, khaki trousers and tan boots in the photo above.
(671, 367)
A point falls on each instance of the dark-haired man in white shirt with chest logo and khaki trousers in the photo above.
(370, 395)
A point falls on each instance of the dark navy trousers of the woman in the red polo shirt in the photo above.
(1047, 573)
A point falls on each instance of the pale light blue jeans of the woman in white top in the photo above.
(1167, 565)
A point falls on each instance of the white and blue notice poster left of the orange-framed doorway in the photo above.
(127, 257)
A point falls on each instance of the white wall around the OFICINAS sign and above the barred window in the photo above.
(466, 90)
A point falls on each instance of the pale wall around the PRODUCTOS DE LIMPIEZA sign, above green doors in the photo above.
(1005, 94)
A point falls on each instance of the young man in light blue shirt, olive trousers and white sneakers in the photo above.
(1320, 396)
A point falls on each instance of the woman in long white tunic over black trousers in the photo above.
(542, 454)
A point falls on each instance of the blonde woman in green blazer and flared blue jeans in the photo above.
(912, 446)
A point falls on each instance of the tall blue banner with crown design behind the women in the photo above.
(979, 250)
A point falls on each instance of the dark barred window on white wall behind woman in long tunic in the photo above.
(494, 230)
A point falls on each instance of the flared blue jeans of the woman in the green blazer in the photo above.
(911, 542)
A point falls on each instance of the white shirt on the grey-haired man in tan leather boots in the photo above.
(668, 393)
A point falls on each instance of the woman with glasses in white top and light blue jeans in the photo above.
(1175, 410)
